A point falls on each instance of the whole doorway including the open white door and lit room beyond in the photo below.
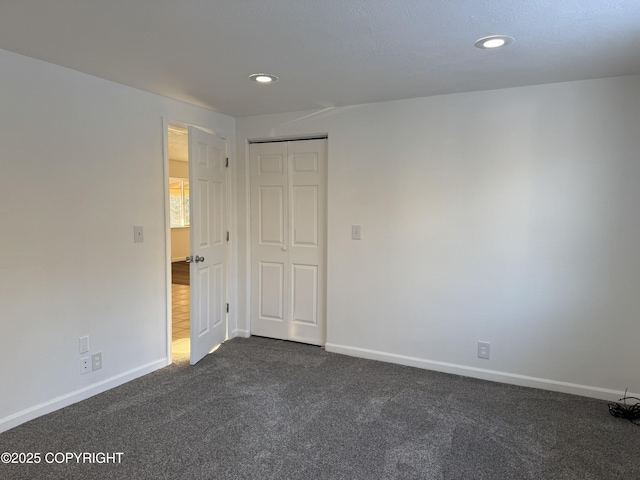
(196, 165)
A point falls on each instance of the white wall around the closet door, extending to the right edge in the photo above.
(505, 216)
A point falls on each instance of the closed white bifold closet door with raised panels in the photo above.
(288, 240)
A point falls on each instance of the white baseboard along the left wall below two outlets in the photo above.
(62, 401)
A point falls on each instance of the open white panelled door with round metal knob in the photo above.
(208, 271)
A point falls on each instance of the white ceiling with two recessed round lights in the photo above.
(326, 52)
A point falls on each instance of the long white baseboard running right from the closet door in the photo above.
(480, 373)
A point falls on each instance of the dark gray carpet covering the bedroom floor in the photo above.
(267, 409)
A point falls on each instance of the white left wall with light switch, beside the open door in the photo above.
(81, 163)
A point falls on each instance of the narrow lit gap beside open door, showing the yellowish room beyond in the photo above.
(179, 195)
